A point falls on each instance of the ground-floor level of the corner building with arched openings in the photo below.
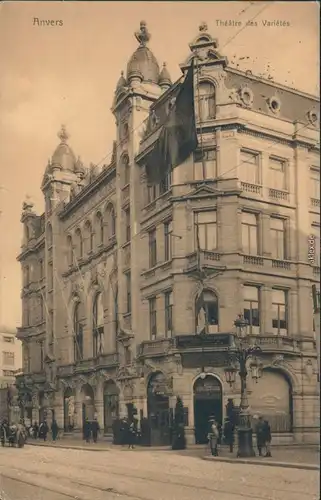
(287, 395)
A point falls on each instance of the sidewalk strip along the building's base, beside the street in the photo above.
(297, 456)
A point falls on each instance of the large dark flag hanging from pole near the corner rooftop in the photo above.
(178, 137)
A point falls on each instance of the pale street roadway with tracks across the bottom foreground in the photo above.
(57, 474)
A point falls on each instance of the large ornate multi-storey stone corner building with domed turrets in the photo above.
(110, 269)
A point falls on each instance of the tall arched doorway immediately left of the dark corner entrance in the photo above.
(158, 410)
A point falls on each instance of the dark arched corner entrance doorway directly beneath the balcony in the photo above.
(208, 402)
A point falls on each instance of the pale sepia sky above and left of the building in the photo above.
(51, 75)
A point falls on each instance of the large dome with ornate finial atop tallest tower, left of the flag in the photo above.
(143, 65)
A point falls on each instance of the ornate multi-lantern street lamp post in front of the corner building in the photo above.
(239, 355)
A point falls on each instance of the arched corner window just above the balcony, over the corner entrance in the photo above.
(207, 312)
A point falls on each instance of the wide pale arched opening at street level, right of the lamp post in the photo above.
(272, 398)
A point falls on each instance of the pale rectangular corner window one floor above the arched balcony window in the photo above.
(206, 230)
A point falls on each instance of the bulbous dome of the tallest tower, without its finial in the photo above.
(144, 62)
